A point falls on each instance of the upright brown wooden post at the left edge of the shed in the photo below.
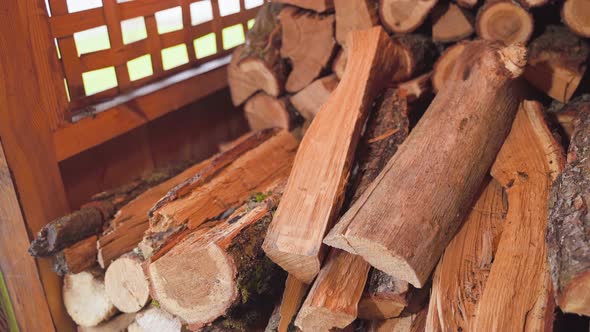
(36, 195)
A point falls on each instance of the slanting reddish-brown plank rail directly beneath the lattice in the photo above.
(93, 131)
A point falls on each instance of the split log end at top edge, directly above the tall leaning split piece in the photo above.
(354, 15)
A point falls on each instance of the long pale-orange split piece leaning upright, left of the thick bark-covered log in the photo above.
(309, 207)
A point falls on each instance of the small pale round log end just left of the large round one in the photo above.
(126, 283)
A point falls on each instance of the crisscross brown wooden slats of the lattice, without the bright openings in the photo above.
(64, 24)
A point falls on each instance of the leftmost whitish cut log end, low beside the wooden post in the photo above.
(85, 298)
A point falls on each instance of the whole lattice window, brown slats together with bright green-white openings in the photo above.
(108, 47)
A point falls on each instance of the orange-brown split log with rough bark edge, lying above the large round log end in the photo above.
(188, 206)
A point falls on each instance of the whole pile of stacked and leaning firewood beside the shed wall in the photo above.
(406, 171)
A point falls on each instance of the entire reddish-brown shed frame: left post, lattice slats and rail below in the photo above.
(36, 131)
